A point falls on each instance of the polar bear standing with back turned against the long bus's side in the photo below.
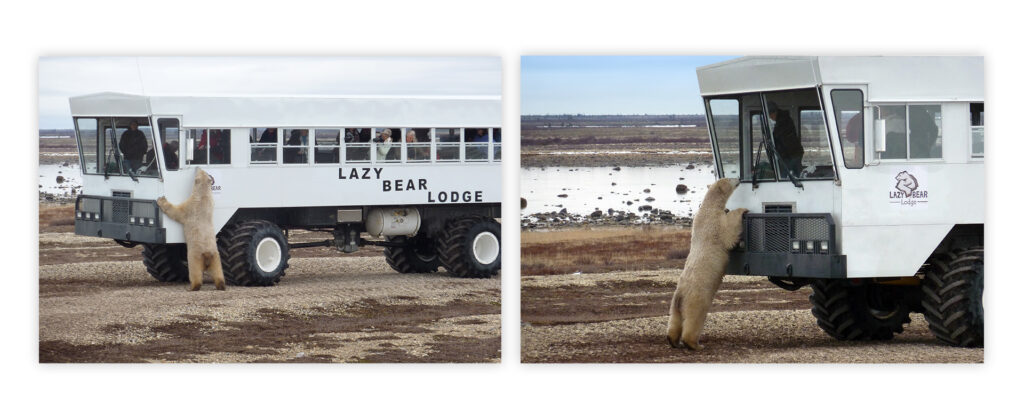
(196, 215)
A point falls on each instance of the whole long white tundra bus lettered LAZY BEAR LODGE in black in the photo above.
(421, 175)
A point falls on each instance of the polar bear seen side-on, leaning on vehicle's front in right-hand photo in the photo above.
(716, 231)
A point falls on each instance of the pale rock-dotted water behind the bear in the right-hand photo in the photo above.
(590, 189)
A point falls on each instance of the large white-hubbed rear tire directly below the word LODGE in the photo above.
(465, 241)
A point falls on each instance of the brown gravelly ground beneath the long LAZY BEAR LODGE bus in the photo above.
(98, 305)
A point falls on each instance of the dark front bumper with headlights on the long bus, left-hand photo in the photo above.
(119, 219)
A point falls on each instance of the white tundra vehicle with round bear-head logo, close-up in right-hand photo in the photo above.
(865, 179)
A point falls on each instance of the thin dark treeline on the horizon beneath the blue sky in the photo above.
(581, 120)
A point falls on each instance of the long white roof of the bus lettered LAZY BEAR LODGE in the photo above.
(309, 111)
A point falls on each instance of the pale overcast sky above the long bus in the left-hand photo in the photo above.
(61, 78)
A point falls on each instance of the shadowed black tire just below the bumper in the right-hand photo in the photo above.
(871, 312)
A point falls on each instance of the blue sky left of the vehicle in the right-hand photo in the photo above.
(613, 85)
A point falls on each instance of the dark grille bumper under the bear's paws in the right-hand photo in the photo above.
(767, 247)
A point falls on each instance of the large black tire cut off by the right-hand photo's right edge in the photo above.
(953, 288)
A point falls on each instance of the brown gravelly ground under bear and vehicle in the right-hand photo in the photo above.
(622, 317)
